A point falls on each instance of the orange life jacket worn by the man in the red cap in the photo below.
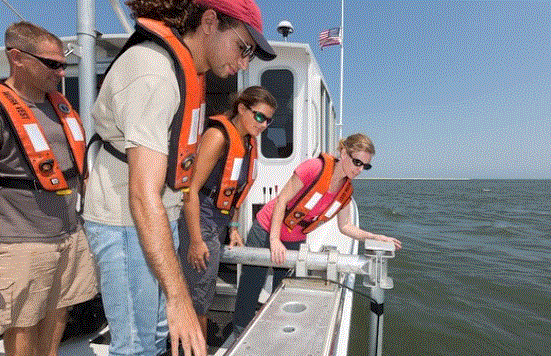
(187, 124)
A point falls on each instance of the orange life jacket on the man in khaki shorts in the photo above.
(32, 139)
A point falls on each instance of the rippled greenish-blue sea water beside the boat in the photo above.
(474, 274)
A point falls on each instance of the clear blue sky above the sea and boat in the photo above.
(445, 89)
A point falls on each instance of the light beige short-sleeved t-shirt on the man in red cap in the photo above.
(135, 106)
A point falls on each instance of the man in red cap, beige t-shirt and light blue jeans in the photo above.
(148, 115)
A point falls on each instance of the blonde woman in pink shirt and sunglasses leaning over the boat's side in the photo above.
(322, 183)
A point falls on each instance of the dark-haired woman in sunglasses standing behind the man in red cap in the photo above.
(223, 174)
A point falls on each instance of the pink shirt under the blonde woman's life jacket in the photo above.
(307, 172)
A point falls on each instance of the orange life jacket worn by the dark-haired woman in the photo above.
(229, 194)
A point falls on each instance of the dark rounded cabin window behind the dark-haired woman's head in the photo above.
(277, 140)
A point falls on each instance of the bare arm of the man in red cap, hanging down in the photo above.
(147, 170)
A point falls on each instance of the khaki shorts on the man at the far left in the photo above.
(36, 277)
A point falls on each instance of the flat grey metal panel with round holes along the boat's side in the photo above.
(299, 319)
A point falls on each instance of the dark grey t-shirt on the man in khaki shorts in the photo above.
(36, 215)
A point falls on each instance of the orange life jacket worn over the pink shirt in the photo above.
(296, 212)
